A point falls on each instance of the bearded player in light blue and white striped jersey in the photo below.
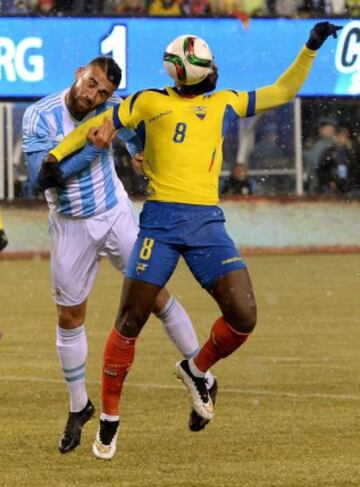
(90, 217)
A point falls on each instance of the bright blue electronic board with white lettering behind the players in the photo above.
(39, 56)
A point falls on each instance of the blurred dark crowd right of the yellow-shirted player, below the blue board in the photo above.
(331, 156)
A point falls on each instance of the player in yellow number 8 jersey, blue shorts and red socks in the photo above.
(183, 129)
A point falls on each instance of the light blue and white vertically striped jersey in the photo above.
(95, 189)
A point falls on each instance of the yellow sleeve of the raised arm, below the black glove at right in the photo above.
(286, 87)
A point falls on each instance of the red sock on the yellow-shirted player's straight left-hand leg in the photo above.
(118, 357)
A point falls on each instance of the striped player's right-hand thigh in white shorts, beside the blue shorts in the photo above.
(122, 236)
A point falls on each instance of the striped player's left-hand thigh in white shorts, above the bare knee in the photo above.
(74, 260)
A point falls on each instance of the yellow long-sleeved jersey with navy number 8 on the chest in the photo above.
(183, 136)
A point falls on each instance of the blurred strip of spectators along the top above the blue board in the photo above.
(174, 8)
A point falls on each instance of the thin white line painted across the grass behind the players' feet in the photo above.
(225, 390)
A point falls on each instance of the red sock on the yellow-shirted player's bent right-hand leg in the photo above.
(224, 340)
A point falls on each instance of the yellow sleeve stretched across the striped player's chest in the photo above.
(77, 138)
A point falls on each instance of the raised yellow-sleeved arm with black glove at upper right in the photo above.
(290, 82)
